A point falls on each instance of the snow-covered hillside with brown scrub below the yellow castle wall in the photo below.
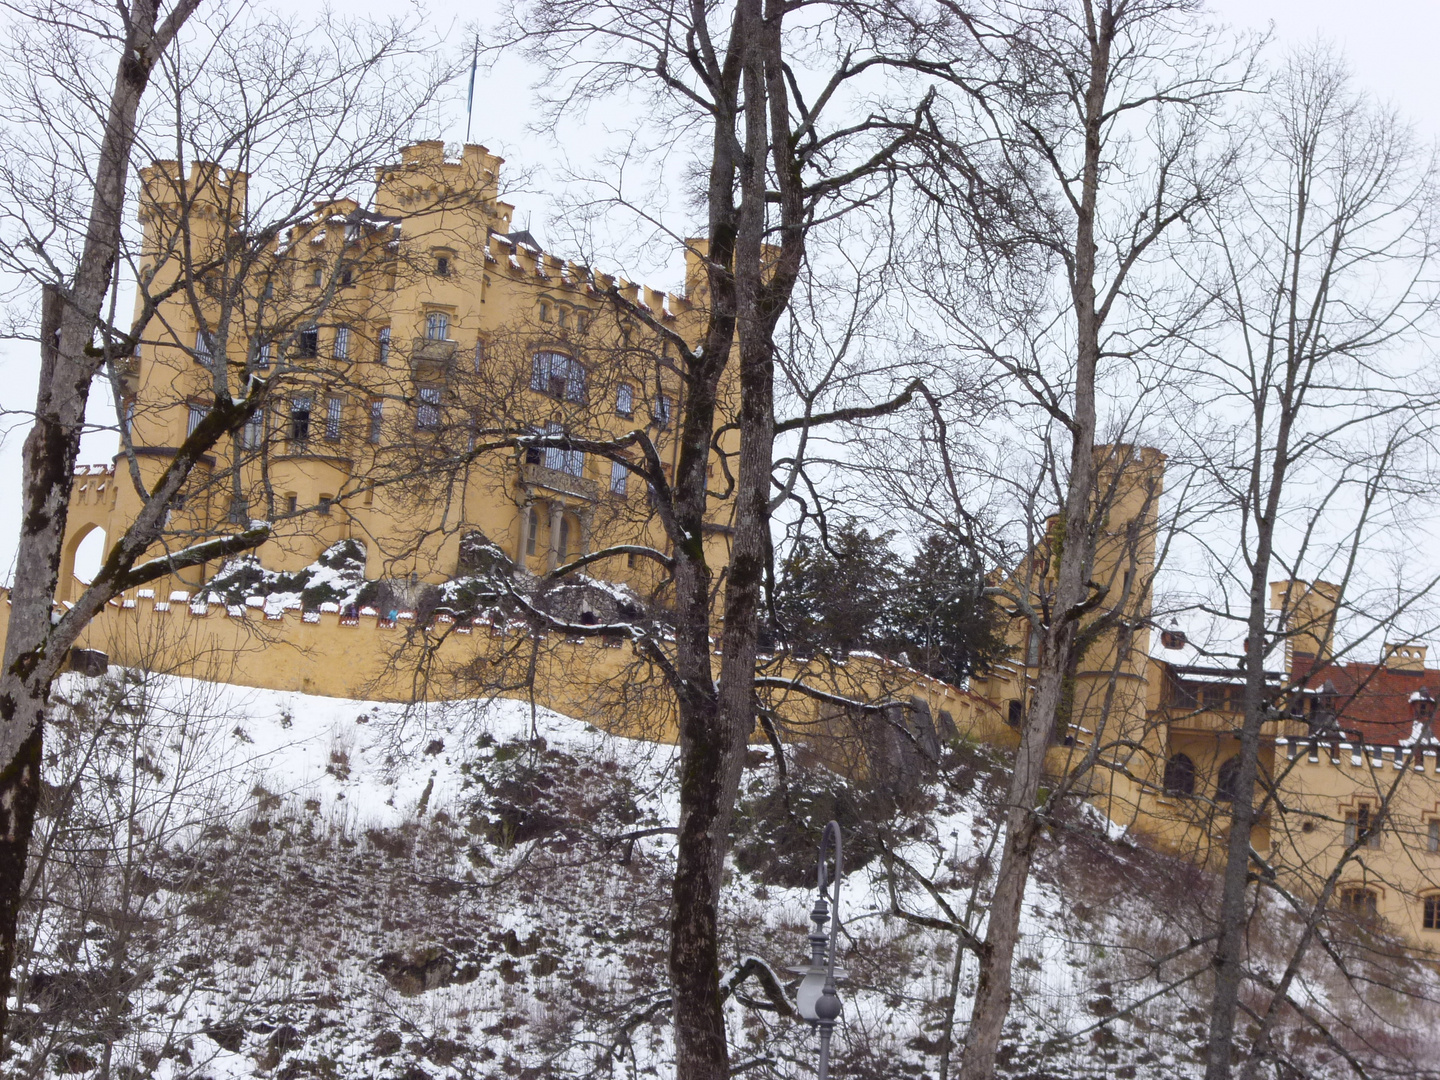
(248, 883)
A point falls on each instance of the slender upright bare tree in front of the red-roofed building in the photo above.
(1323, 426)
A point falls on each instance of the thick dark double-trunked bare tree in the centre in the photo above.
(775, 159)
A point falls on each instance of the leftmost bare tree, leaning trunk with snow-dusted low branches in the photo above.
(233, 91)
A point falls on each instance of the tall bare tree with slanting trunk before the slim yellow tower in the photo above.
(1086, 142)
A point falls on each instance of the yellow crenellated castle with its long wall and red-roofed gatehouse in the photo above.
(394, 335)
